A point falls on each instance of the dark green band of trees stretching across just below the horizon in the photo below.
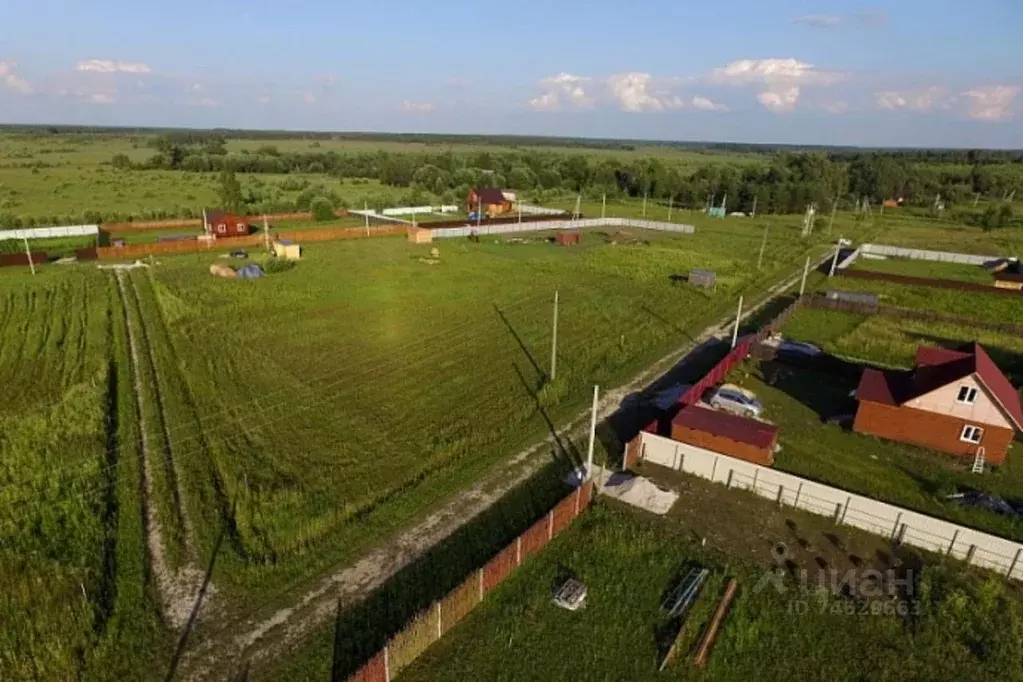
(786, 183)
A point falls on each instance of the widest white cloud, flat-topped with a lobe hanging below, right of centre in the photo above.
(781, 80)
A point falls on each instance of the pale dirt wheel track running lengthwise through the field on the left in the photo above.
(181, 590)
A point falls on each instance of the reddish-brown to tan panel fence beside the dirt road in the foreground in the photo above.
(431, 624)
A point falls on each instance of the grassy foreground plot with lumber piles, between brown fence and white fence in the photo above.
(630, 561)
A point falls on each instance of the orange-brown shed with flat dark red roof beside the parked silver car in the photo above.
(731, 435)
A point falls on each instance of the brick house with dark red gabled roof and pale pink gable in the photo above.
(953, 401)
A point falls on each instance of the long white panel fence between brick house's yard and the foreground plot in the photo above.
(911, 528)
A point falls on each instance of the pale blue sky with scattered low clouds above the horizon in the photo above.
(913, 73)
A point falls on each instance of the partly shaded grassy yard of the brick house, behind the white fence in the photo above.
(817, 444)
